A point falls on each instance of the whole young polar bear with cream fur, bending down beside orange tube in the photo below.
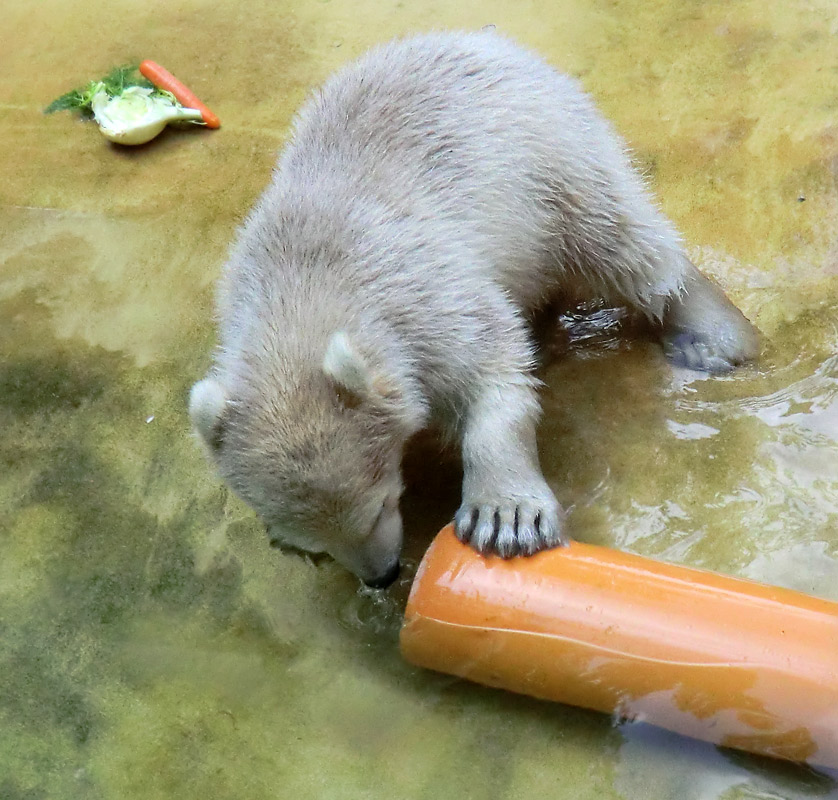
(434, 195)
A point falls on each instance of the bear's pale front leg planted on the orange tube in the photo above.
(507, 507)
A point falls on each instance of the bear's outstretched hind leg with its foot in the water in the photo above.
(626, 251)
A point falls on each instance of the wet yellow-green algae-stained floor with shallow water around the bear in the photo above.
(152, 644)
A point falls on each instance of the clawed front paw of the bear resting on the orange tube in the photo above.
(511, 527)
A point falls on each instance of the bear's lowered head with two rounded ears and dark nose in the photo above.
(317, 455)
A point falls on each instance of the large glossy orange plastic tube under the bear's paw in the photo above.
(721, 659)
